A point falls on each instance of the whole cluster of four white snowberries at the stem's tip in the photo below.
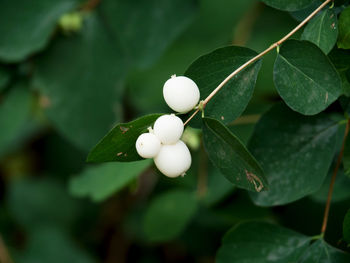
(171, 155)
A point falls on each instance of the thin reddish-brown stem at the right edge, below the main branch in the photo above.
(331, 186)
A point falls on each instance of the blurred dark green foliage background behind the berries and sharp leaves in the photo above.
(66, 80)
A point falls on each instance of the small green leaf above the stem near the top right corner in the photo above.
(322, 30)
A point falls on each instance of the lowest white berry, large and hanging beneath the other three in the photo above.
(173, 160)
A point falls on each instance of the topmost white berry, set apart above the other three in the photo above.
(181, 93)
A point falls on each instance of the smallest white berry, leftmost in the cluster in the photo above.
(148, 145)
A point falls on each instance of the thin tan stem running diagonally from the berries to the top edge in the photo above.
(263, 53)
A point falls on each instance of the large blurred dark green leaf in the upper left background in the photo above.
(84, 91)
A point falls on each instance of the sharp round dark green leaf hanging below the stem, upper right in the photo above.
(305, 78)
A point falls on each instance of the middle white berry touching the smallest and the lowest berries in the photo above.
(168, 128)
